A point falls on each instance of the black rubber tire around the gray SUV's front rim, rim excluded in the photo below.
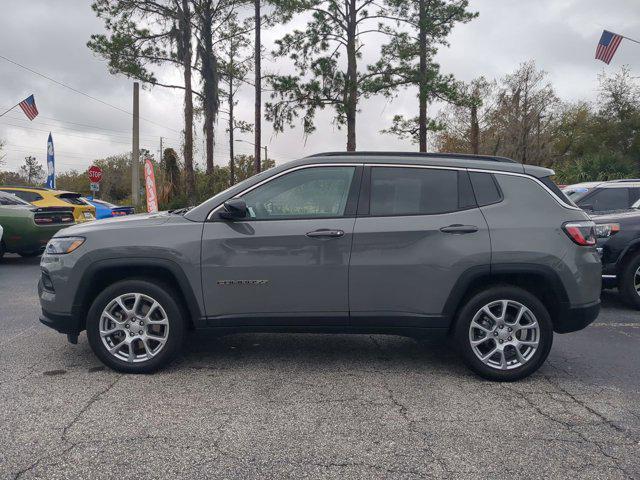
(159, 292)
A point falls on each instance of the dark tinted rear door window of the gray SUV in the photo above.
(415, 191)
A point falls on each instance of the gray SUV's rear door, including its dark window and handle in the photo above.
(418, 230)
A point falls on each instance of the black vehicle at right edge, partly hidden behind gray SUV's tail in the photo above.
(619, 246)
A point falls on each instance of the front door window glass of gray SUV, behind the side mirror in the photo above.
(314, 192)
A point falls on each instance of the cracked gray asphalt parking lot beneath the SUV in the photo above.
(312, 406)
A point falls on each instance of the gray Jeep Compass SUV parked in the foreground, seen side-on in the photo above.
(484, 250)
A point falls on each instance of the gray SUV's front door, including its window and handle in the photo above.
(287, 262)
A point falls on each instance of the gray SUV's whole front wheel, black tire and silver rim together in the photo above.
(135, 326)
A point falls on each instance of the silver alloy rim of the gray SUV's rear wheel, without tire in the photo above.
(504, 334)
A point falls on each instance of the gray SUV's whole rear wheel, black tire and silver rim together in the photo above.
(504, 333)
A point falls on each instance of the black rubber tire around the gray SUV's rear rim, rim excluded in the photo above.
(474, 304)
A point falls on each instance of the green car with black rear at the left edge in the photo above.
(27, 229)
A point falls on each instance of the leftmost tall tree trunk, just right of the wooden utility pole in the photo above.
(185, 32)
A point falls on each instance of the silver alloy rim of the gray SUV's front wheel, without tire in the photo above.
(134, 327)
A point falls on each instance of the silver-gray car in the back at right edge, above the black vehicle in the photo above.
(604, 196)
